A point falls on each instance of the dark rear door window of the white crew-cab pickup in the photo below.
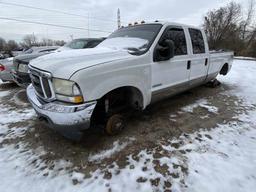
(197, 41)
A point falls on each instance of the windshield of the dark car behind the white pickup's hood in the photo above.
(82, 43)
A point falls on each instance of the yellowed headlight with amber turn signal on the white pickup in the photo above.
(67, 91)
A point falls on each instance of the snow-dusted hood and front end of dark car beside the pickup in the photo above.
(20, 63)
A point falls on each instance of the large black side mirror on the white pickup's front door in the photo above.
(164, 51)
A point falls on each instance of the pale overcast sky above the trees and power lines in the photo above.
(185, 11)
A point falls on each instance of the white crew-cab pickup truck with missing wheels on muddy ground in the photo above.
(133, 67)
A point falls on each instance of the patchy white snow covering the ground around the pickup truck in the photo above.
(223, 159)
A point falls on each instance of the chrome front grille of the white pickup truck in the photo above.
(41, 81)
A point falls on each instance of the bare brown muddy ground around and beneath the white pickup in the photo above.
(159, 123)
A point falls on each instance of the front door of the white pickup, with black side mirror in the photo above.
(170, 76)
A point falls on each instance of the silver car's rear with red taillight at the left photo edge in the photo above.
(6, 66)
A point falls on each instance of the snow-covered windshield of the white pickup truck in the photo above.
(136, 39)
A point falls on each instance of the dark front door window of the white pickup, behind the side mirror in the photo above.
(178, 37)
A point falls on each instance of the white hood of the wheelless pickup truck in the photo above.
(64, 64)
